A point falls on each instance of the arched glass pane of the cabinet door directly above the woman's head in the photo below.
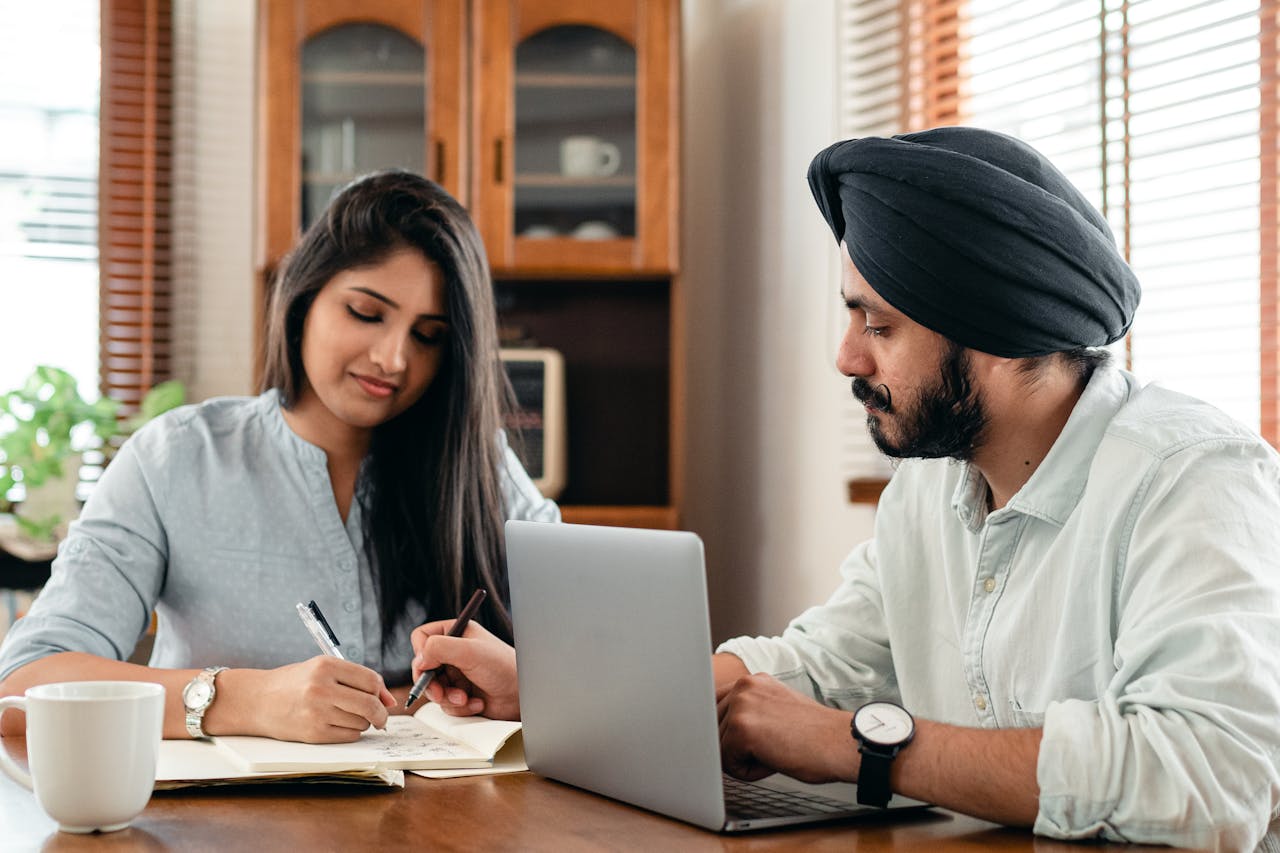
(364, 108)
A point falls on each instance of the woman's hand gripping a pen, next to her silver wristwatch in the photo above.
(323, 700)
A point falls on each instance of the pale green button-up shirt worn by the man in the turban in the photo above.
(1127, 600)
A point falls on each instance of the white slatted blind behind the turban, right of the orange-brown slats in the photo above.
(1154, 108)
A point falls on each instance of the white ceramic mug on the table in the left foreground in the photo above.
(93, 749)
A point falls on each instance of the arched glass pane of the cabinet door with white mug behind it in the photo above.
(575, 135)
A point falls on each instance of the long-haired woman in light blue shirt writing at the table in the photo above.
(372, 477)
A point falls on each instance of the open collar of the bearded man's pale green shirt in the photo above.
(1055, 489)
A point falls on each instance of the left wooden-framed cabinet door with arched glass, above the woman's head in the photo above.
(348, 88)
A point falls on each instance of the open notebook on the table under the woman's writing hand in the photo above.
(428, 741)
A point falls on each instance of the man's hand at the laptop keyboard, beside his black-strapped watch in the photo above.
(767, 728)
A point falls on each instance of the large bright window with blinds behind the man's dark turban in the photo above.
(1162, 112)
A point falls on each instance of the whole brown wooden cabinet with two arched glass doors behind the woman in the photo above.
(556, 122)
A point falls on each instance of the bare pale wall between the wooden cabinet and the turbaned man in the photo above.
(764, 478)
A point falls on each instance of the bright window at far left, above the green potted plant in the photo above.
(49, 117)
